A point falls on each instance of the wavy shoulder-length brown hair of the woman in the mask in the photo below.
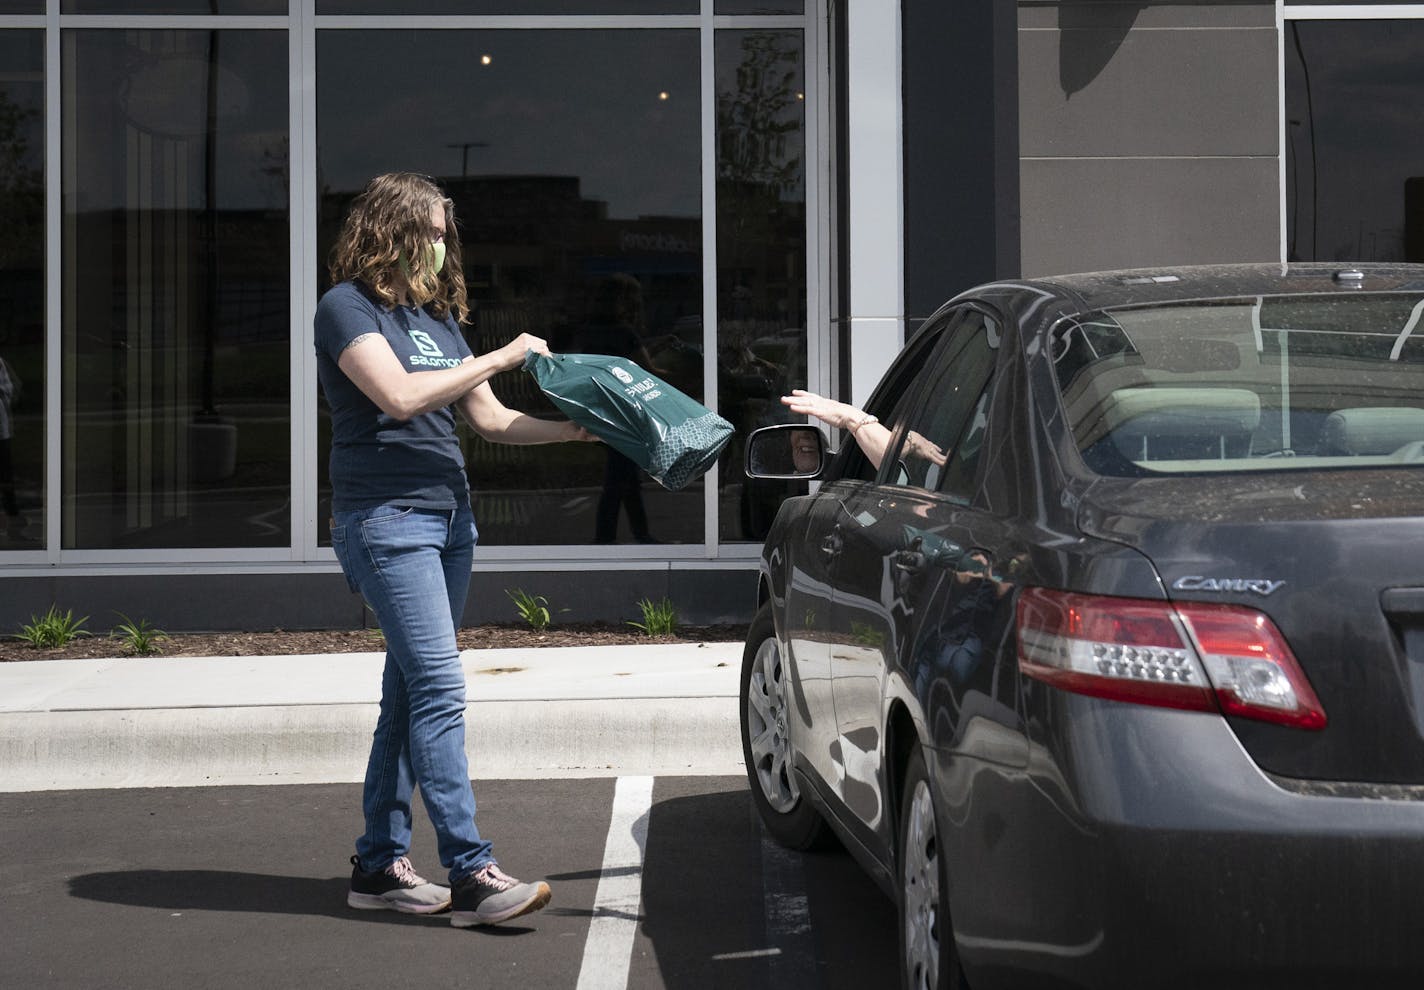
(388, 224)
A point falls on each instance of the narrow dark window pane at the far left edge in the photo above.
(22, 291)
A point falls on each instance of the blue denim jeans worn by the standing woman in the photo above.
(414, 569)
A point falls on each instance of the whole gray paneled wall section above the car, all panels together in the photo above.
(1148, 135)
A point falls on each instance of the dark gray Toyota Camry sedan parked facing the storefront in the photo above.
(1124, 686)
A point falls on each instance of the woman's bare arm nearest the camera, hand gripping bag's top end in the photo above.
(370, 363)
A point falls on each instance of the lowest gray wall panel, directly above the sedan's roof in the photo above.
(1091, 216)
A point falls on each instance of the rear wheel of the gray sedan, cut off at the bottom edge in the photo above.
(929, 959)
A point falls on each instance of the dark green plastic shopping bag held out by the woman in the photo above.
(667, 434)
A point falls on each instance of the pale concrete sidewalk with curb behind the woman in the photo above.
(559, 712)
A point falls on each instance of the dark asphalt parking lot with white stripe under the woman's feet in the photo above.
(659, 882)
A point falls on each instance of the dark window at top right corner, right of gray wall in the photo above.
(1355, 157)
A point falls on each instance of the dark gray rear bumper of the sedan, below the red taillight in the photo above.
(1144, 848)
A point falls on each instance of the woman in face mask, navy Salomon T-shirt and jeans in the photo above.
(395, 368)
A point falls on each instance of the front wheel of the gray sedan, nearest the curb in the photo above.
(767, 747)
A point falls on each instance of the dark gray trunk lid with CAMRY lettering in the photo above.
(1332, 559)
